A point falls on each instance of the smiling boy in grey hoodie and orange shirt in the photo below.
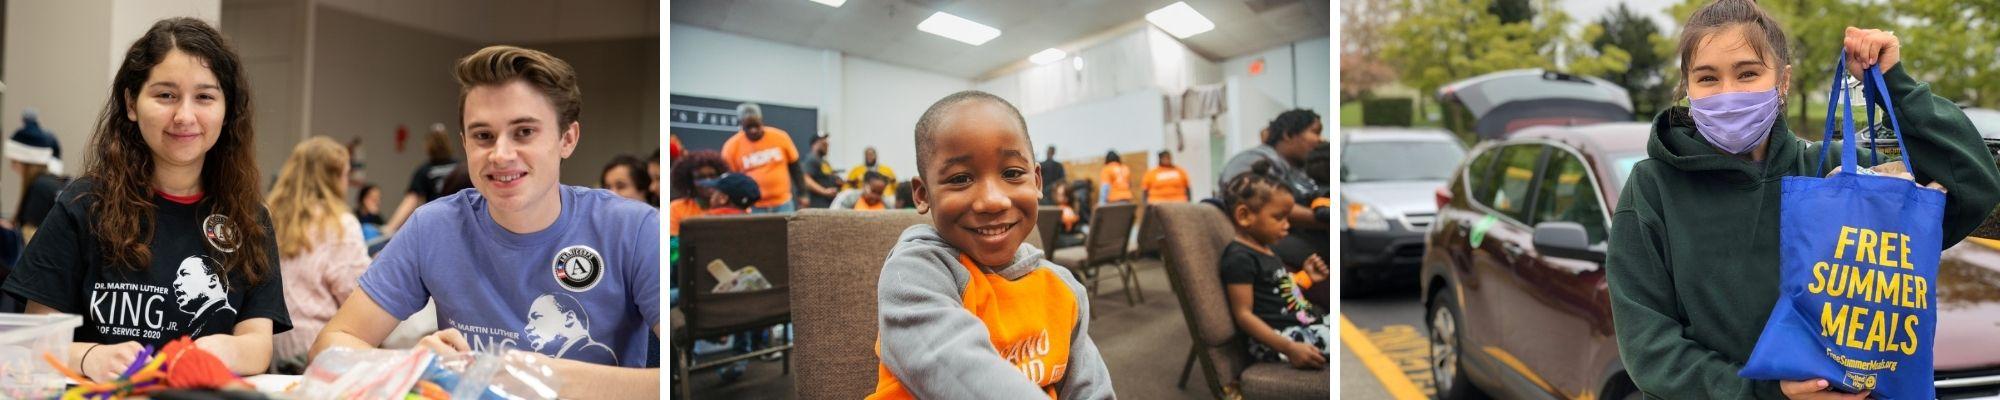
(965, 309)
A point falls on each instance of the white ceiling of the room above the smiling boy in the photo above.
(887, 29)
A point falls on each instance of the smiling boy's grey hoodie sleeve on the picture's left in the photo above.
(927, 337)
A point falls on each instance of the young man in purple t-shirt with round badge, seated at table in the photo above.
(523, 263)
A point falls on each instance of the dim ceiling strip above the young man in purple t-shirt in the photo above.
(517, 21)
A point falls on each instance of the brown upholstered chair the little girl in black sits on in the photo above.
(1195, 237)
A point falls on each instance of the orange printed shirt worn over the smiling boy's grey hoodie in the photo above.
(1029, 321)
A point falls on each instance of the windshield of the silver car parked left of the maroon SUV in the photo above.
(1399, 161)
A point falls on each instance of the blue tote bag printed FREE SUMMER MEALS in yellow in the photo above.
(1859, 267)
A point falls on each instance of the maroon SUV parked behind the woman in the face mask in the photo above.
(1521, 235)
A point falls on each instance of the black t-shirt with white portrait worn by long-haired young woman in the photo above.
(179, 295)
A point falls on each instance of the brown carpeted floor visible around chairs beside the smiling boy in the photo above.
(1143, 345)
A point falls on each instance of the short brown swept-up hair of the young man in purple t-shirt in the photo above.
(501, 65)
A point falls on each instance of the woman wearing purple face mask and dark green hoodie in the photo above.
(1693, 261)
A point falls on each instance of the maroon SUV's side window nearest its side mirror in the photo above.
(1571, 197)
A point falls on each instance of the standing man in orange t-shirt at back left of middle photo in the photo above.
(767, 155)
